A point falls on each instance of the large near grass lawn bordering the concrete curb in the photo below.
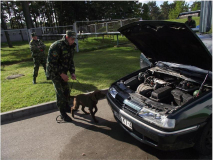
(94, 70)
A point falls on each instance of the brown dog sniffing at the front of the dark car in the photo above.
(87, 100)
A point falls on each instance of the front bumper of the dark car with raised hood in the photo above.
(147, 134)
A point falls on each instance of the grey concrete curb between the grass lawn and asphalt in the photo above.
(29, 111)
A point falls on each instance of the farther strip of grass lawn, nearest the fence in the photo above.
(21, 51)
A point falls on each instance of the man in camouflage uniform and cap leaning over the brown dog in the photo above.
(59, 62)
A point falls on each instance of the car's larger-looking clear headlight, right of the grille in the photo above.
(156, 118)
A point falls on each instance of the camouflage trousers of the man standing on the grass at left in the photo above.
(37, 61)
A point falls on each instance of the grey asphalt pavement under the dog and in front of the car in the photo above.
(41, 137)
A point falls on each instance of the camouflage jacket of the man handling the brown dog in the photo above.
(60, 59)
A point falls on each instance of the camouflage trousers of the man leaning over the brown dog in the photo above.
(62, 91)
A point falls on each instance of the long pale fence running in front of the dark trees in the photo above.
(96, 26)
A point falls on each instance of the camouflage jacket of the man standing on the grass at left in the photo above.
(37, 48)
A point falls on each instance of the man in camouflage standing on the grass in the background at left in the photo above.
(37, 48)
